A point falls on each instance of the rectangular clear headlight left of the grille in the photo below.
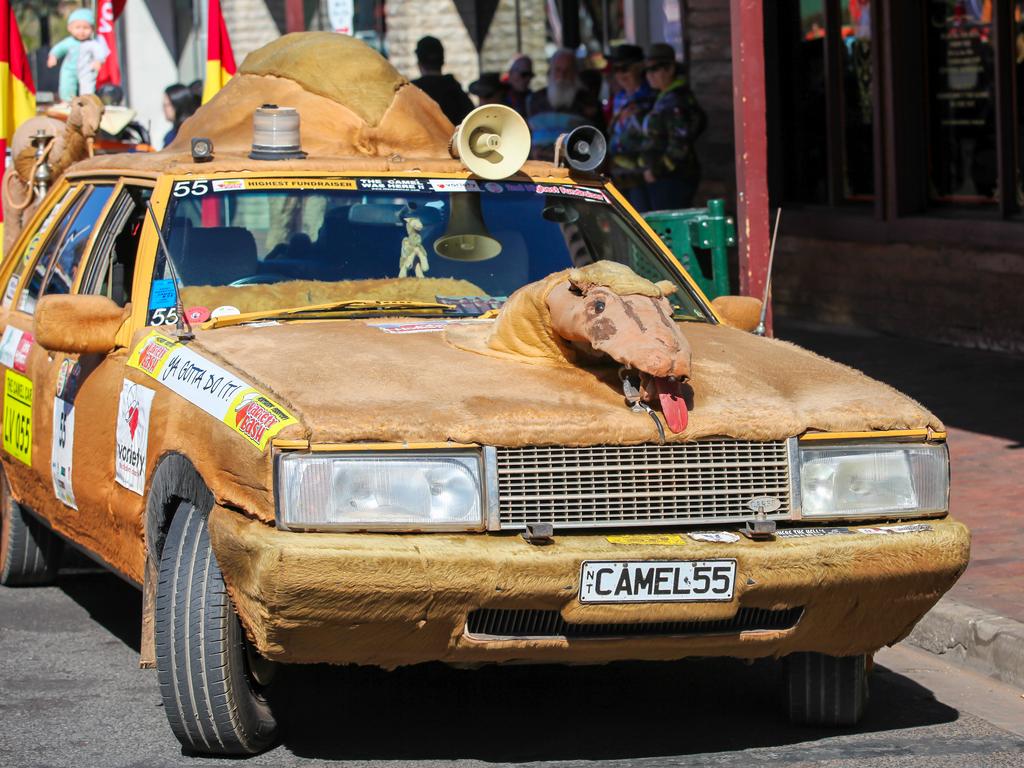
(390, 492)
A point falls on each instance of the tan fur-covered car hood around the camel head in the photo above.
(419, 389)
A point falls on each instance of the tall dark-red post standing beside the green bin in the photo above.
(752, 146)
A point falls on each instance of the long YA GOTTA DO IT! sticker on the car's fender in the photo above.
(210, 388)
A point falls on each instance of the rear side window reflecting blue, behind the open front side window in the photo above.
(64, 246)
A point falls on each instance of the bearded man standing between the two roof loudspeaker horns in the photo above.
(563, 106)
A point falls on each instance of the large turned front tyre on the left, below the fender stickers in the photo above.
(212, 702)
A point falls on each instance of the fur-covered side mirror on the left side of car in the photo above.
(78, 324)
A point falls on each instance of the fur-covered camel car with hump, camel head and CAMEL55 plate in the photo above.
(328, 390)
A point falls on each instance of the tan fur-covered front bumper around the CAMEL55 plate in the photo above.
(393, 601)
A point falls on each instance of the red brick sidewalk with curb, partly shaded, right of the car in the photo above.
(980, 398)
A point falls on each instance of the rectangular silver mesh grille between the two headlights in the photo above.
(707, 482)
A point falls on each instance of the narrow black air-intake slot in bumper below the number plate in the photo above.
(528, 623)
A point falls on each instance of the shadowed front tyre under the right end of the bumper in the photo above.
(827, 691)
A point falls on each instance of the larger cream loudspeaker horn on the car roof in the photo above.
(493, 142)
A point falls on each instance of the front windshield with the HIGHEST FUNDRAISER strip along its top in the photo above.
(265, 245)
